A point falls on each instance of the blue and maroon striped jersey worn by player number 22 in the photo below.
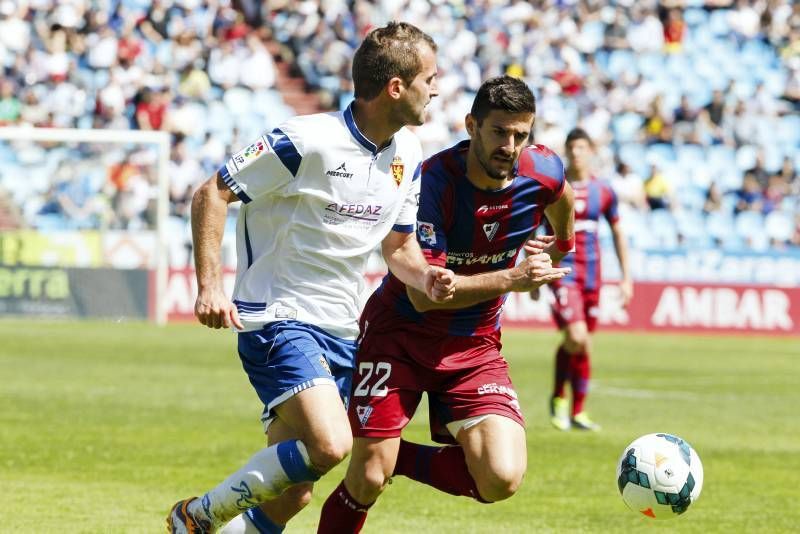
(472, 231)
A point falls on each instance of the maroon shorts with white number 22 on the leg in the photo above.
(464, 376)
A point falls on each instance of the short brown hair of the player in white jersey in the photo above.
(387, 52)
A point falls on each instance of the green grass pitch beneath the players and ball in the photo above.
(103, 426)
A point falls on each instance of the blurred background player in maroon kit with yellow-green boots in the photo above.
(577, 295)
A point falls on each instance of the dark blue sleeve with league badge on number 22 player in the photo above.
(431, 224)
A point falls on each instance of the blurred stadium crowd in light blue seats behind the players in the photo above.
(695, 105)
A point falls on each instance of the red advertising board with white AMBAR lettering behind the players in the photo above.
(664, 306)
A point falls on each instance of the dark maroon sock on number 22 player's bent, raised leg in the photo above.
(444, 468)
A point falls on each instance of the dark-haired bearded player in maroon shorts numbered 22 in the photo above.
(480, 201)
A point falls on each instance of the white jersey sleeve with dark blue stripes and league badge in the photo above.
(265, 167)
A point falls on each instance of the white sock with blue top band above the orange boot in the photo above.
(265, 476)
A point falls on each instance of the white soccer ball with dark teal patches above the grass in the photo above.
(659, 475)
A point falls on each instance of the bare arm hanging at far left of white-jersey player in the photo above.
(209, 210)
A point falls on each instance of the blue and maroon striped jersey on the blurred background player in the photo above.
(593, 199)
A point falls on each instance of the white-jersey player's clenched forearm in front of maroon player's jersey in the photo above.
(404, 258)
